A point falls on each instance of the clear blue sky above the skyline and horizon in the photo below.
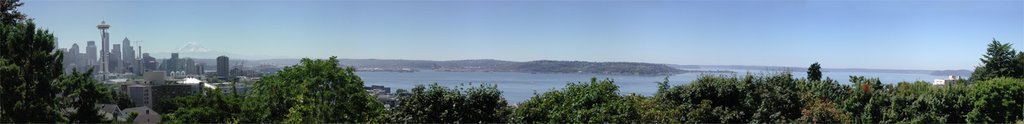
(930, 35)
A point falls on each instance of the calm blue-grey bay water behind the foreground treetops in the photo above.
(518, 88)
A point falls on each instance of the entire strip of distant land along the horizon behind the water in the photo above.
(564, 67)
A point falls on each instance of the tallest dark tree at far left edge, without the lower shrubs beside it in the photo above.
(29, 69)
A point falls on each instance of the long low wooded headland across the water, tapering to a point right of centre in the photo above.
(637, 69)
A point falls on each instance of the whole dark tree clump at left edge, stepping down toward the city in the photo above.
(34, 88)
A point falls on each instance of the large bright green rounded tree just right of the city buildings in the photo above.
(314, 92)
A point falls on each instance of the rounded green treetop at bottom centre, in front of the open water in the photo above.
(578, 103)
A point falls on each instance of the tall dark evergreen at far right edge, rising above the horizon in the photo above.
(999, 61)
